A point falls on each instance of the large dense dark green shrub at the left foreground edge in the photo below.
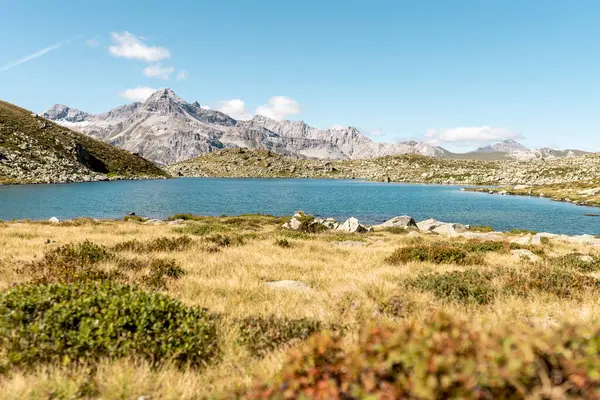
(88, 322)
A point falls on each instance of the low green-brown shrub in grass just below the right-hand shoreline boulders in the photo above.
(437, 254)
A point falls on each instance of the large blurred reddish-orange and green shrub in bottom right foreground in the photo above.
(442, 358)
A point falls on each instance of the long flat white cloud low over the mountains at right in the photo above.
(470, 135)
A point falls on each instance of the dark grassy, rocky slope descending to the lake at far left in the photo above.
(35, 150)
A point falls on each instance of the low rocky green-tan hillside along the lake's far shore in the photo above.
(404, 168)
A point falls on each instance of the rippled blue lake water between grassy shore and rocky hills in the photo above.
(370, 202)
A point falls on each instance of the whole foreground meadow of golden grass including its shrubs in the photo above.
(121, 310)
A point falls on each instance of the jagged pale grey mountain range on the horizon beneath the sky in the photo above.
(167, 129)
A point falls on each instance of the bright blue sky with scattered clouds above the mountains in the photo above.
(456, 72)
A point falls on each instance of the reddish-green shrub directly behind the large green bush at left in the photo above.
(74, 262)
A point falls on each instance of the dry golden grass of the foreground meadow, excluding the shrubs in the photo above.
(349, 286)
